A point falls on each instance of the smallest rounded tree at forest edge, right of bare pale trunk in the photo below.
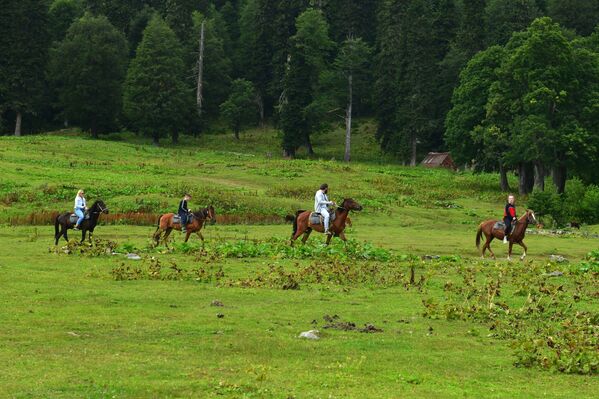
(240, 108)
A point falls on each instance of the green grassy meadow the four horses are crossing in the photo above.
(92, 325)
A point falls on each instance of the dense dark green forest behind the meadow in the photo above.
(506, 85)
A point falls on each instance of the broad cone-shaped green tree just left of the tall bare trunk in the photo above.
(156, 98)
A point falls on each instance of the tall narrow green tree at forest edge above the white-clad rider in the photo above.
(300, 113)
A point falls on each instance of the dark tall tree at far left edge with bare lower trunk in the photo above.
(24, 41)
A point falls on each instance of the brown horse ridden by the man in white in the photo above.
(302, 225)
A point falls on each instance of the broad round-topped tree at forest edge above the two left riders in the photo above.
(88, 68)
